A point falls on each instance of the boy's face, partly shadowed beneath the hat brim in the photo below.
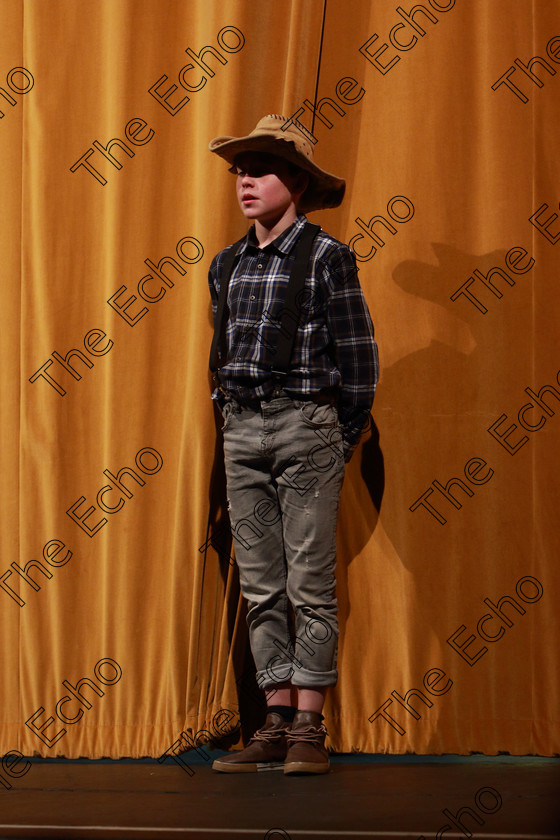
(266, 189)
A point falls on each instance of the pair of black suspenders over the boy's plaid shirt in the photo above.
(289, 319)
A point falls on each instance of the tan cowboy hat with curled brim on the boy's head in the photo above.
(282, 137)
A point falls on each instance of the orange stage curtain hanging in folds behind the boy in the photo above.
(444, 123)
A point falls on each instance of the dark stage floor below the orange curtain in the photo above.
(412, 797)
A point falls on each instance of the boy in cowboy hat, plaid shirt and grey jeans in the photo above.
(296, 374)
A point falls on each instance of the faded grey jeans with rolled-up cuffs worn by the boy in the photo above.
(285, 468)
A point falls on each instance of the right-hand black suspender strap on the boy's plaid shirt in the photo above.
(291, 311)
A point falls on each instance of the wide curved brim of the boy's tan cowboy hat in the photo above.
(324, 191)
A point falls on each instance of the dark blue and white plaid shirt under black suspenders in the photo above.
(334, 348)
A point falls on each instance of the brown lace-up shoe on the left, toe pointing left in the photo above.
(266, 750)
